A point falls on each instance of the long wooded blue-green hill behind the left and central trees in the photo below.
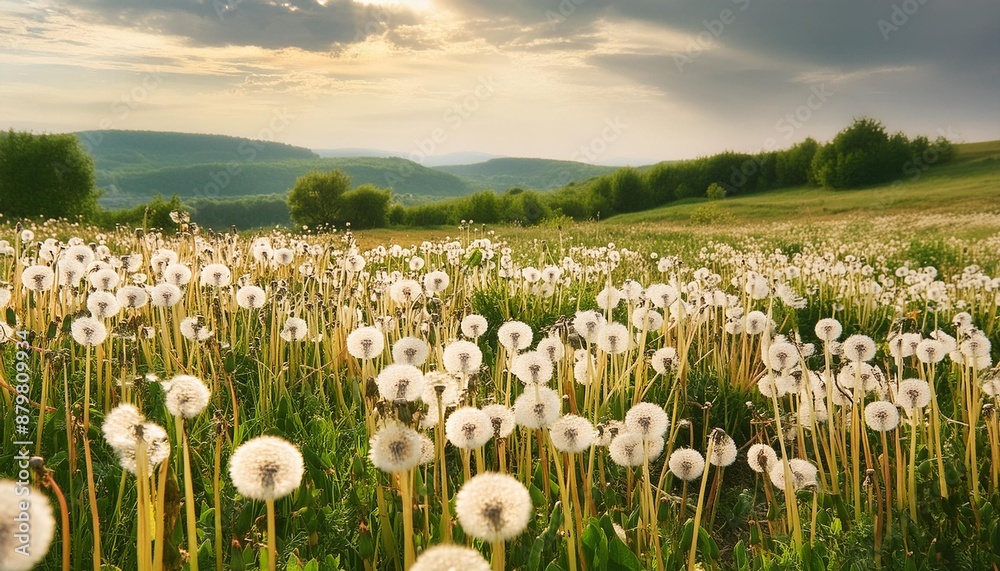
(133, 166)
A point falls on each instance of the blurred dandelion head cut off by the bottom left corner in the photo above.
(20, 551)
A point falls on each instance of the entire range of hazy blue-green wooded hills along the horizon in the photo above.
(132, 166)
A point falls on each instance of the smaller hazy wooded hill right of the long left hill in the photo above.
(538, 174)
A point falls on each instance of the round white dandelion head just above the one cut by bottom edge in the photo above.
(493, 507)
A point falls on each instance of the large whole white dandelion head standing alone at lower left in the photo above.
(266, 468)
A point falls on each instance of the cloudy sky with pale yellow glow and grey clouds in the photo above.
(592, 80)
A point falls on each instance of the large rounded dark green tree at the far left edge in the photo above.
(46, 175)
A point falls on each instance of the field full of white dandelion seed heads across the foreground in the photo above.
(300, 402)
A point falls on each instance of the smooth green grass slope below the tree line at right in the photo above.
(969, 183)
